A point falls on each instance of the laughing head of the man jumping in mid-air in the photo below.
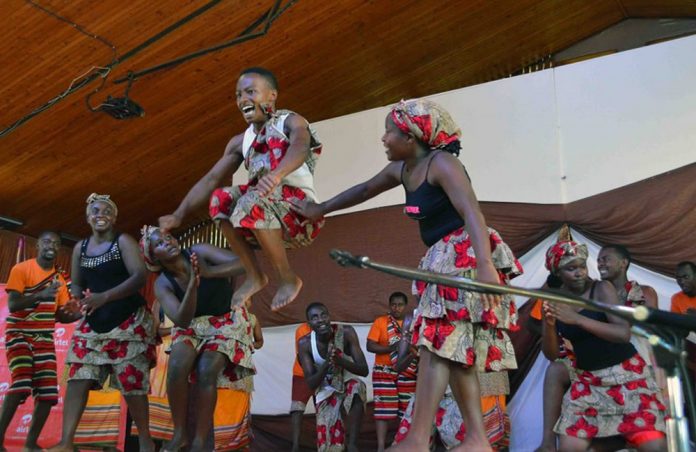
(255, 97)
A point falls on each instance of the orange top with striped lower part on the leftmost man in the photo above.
(28, 278)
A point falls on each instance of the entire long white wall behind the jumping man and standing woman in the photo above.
(601, 124)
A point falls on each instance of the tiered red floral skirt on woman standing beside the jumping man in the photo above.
(451, 322)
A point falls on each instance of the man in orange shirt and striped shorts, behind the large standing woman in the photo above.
(392, 390)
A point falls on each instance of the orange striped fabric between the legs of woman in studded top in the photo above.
(101, 420)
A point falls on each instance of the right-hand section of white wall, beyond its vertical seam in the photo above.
(627, 117)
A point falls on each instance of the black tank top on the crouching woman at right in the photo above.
(592, 352)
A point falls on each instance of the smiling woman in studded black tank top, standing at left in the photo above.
(115, 338)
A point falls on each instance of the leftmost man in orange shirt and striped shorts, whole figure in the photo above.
(35, 290)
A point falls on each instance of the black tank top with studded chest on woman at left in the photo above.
(102, 273)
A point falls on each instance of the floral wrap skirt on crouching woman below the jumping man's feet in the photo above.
(229, 334)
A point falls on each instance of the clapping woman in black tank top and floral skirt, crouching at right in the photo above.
(612, 391)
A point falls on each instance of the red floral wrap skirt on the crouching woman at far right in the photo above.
(619, 400)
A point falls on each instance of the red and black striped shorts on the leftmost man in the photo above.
(32, 363)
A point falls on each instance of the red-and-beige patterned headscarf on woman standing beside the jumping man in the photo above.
(427, 121)
